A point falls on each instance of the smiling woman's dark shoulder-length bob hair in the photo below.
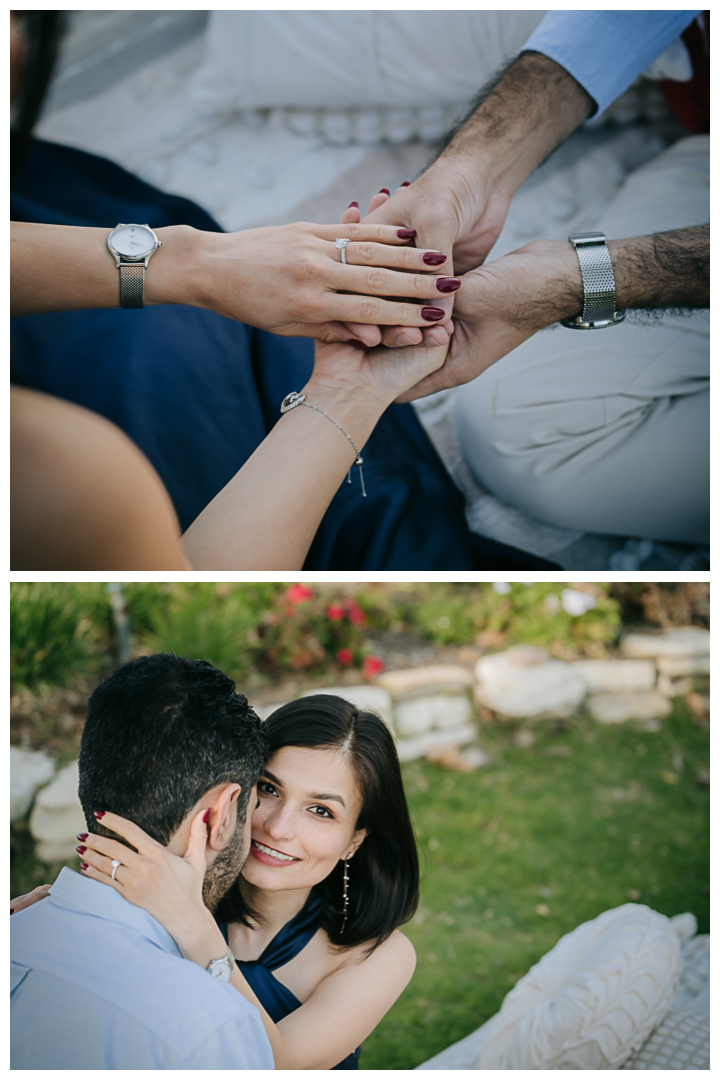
(384, 873)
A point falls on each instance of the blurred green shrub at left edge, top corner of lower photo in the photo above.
(50, 636)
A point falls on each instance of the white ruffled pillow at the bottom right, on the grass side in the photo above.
(593, 1000)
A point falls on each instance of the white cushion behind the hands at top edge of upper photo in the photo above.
(339, 60)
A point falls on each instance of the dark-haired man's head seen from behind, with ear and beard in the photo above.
(161, 734)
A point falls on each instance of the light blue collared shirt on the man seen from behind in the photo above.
(98, 983)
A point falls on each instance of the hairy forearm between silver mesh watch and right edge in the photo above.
(668, 271)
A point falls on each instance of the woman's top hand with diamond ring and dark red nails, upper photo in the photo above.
(291, 280)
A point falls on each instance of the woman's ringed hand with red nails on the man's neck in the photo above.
(168, 887)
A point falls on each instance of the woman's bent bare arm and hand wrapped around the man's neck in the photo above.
(344, 1009)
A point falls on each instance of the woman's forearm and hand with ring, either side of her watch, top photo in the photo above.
(288, 279)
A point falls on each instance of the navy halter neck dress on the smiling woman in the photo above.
(276, 998)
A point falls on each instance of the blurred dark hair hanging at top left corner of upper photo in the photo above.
(43, 32)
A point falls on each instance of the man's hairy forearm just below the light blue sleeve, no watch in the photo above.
(519, 118)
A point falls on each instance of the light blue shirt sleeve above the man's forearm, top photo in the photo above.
(606, 51)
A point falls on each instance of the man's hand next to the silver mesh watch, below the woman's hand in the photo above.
(504, 304)
